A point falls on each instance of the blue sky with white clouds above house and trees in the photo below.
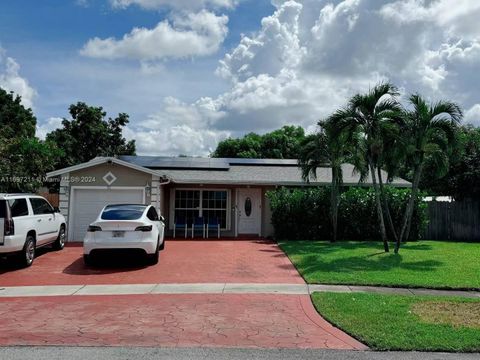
(191, 73)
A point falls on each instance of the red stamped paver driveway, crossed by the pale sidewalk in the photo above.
(230, 320)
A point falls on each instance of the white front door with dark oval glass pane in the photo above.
(249, 211)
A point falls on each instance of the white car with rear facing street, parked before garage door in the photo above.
(126, 226)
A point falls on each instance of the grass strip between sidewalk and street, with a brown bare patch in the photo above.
(389, 322)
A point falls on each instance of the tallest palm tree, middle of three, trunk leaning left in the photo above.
(369, 117)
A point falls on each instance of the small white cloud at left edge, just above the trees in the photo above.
(11, 80)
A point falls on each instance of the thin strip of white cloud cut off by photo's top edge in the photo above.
(176, 4)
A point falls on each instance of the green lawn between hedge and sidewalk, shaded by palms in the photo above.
(430, 264)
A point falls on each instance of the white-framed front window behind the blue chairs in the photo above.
(212, 205)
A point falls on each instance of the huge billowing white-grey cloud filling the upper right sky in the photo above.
(310, 56)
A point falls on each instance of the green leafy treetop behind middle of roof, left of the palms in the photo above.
(283, 143)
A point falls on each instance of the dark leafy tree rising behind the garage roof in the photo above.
(88, 135)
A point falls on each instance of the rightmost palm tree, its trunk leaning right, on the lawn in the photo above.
(431, 131)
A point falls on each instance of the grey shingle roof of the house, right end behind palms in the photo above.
(192, 170)
